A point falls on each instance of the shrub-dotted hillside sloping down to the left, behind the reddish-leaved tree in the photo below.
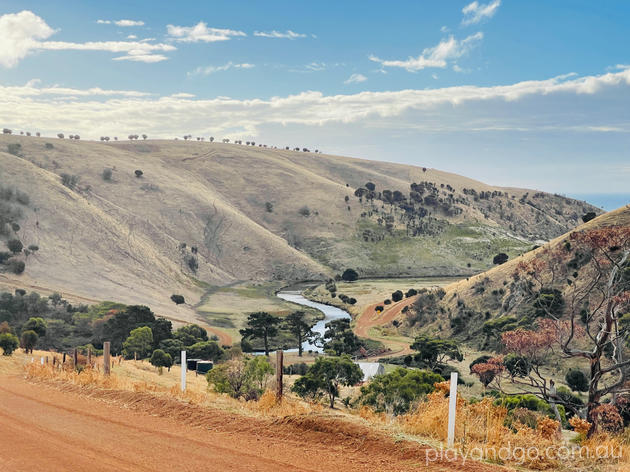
(479, 308)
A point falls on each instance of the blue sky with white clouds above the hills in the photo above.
(531, 94)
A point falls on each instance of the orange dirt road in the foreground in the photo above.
(43, 427)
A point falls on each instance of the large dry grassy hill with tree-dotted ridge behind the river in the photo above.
(200, 214)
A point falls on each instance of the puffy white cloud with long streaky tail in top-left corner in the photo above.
(23, 33)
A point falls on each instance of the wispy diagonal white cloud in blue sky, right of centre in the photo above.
(436, 57)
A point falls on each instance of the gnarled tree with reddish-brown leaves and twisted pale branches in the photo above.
(593, 327)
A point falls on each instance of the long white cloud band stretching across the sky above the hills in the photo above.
(565, 103)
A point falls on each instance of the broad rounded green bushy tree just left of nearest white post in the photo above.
(396, 392)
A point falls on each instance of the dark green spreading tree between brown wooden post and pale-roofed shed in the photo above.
(326, 376)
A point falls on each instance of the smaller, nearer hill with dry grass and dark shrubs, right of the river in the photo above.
(478, 308)
